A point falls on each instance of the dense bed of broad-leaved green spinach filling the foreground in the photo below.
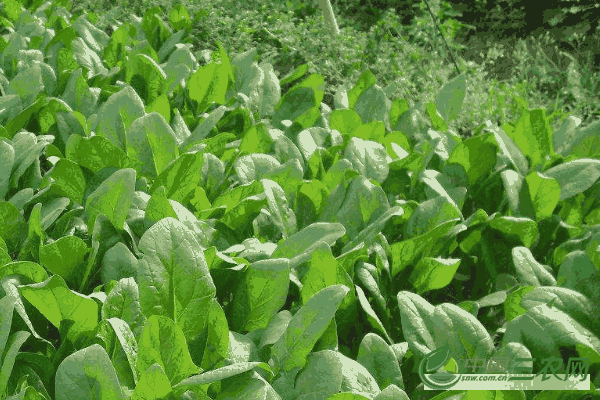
(179, 228)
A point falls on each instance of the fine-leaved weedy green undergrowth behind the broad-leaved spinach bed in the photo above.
(535, 69)
